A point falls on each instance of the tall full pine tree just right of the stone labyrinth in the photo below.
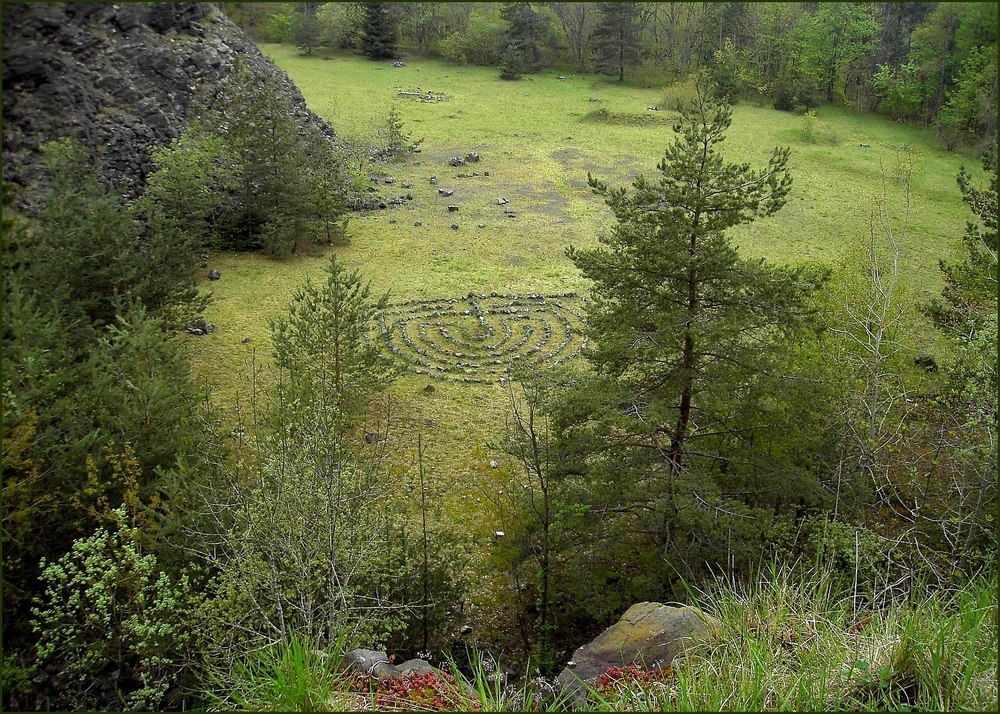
(687, 331)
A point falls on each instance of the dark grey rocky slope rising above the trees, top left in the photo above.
(119, 78)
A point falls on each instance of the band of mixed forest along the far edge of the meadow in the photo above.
(933, 63)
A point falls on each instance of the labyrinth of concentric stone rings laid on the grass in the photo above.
(476, 338)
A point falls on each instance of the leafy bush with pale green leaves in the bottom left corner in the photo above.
(111, 627)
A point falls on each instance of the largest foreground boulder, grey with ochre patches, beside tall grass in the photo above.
(649, 634)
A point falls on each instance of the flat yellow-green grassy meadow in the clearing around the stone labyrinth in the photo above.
(538, 139)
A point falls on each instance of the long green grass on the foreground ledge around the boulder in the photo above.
(787, 641)
